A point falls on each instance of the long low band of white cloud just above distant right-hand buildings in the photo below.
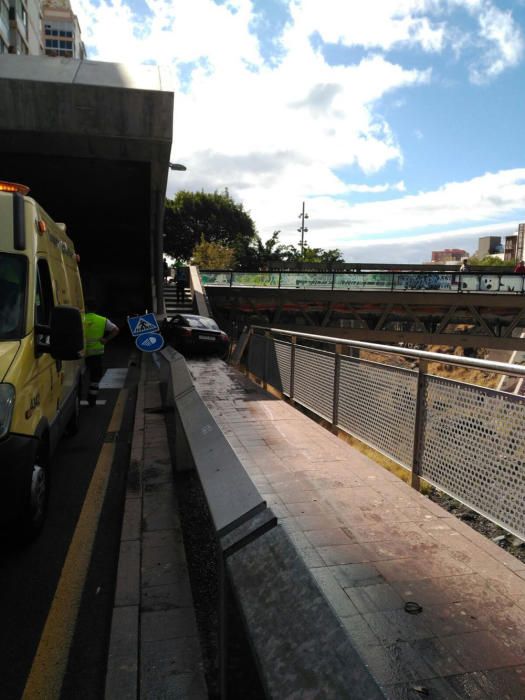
(409, 222)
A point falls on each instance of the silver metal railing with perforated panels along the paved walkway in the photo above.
(464, 439)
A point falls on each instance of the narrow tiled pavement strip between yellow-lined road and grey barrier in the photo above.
(154, 647)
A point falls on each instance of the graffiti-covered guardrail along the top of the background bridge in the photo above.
(493, 283)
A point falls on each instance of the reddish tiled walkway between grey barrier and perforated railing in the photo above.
(374, 544)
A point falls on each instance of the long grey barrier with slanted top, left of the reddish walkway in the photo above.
(300, 648)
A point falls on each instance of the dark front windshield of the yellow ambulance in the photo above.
(13, 279)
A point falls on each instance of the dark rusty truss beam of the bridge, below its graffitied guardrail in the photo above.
(419, 318)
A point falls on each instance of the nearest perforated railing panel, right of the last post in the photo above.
(474, 448)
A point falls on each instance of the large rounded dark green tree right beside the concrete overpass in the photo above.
(189, 216)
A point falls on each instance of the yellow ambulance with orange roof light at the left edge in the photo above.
(41, 354)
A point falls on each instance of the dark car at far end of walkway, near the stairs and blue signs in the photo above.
(195, 334)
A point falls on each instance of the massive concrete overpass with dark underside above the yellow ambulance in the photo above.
(92, 140)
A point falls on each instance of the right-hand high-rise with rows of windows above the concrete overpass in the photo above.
(61, 30)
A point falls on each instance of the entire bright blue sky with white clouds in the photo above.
(398, 122)
